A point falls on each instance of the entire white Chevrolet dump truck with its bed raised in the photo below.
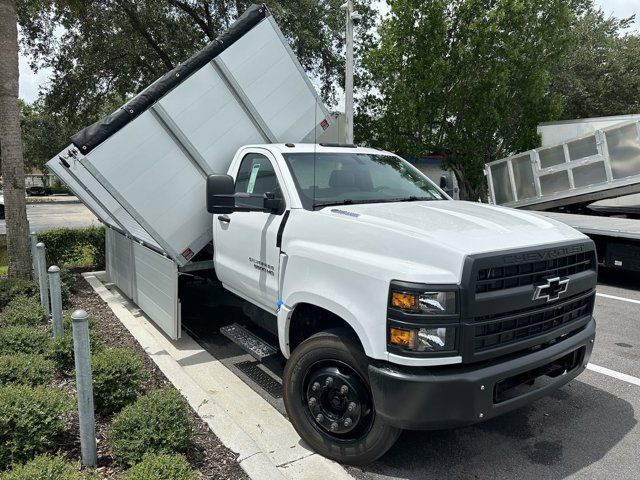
(396, 307)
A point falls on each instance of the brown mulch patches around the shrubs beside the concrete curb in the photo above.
(208, 455)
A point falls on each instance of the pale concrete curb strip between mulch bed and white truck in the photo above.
(267, 445)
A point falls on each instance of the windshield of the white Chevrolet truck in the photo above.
(324, 179)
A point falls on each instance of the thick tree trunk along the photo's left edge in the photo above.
(18, 243)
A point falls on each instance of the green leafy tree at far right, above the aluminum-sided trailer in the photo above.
(599, 74)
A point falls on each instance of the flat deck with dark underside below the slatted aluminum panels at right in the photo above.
(617, 239)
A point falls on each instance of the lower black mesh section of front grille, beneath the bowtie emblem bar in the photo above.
(495, 331)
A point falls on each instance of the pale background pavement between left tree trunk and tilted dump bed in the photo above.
(46, 216)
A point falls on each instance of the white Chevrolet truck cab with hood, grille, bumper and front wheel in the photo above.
(396, 306)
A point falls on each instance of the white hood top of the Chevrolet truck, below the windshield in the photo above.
(465, 227)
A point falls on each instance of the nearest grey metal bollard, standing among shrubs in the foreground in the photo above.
(82, 354)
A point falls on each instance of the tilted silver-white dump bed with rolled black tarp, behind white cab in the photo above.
(151, 157)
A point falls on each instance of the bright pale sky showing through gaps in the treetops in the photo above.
(31, 81)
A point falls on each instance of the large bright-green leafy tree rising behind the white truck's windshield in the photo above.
(465, 78)
